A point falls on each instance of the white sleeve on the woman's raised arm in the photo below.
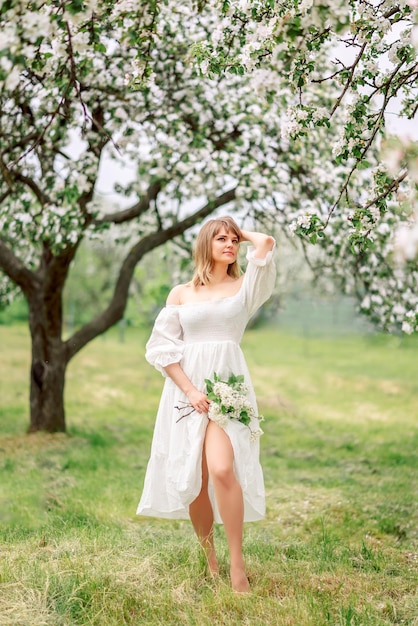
(259, 280)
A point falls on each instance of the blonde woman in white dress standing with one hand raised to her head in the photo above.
(197, 469)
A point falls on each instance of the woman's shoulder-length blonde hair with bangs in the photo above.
(203, 250)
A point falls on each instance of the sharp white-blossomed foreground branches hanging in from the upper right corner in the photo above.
(363, 208)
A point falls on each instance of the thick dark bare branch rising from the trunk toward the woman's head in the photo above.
(116, 308)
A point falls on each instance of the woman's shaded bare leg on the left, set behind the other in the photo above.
(201, 514)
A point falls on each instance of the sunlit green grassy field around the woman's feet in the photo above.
(339, 545)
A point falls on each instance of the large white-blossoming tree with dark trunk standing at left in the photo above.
(266, 128)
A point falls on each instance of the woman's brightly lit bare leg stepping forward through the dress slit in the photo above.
(228, 492)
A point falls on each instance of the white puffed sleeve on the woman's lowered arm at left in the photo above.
(165, 344)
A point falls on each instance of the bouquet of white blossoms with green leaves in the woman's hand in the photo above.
(228, 401)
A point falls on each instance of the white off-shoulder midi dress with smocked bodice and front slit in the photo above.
(204, 338)
